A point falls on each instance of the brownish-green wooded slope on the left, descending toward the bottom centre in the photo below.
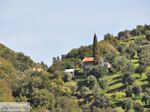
(23, 80)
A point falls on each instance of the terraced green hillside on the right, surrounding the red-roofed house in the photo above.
(127, 83)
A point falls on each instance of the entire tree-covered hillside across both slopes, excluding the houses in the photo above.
(124, 87)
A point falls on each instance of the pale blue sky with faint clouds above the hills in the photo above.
(43, 29)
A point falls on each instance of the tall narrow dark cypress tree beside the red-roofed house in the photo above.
(95, 50)
